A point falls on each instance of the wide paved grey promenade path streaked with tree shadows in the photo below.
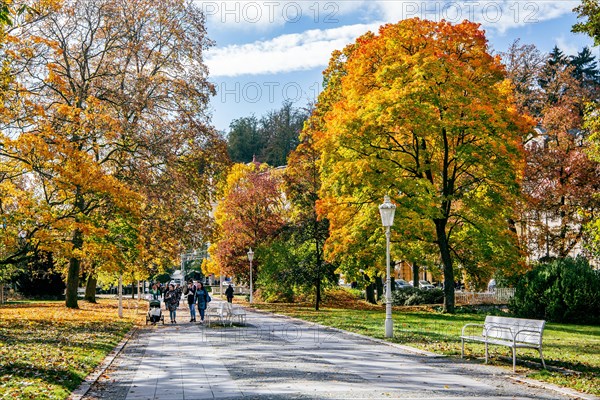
(276, 357)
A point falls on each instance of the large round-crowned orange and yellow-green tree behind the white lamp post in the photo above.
(424, 113)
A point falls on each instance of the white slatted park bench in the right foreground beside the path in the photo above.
(504, 331)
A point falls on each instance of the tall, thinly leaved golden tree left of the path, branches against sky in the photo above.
(118, 121)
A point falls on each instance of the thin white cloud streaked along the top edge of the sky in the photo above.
(498, 15)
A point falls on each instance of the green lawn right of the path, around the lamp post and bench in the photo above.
(571, 352)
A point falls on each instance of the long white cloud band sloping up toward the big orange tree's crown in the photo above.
(285, 53)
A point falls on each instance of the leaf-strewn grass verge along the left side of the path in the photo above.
(46, 350)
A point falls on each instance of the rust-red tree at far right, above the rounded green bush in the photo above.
(560, 178)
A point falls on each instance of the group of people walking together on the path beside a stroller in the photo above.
(196, 296)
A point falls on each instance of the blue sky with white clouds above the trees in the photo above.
(269, 51)
